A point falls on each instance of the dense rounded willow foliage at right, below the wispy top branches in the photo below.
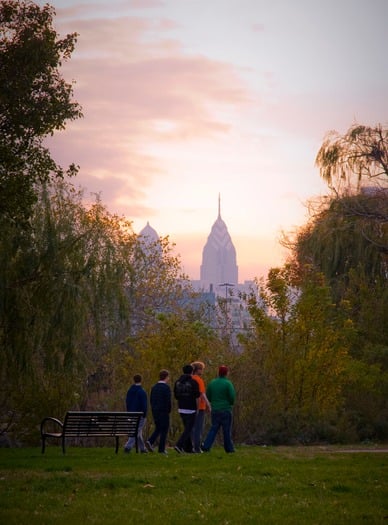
(349, 235)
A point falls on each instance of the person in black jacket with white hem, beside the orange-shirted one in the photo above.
(186, 391)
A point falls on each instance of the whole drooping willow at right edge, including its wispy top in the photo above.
(348, 231)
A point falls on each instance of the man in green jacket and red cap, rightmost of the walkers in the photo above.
(221, 394)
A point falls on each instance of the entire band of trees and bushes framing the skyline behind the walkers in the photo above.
(85, 303)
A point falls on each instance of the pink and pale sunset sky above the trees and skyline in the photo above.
(186, 100)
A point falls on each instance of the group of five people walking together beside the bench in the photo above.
(193, 399)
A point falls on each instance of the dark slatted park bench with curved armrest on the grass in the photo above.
(91, 424)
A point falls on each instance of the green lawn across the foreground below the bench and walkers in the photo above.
(256, 485)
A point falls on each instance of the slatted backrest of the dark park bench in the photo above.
(78, 424)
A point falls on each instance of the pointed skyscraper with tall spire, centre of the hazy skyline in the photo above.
(219, 256)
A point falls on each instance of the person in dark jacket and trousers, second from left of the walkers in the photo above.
(160, 401)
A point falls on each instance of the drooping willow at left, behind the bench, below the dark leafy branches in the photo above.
(65, 304)
